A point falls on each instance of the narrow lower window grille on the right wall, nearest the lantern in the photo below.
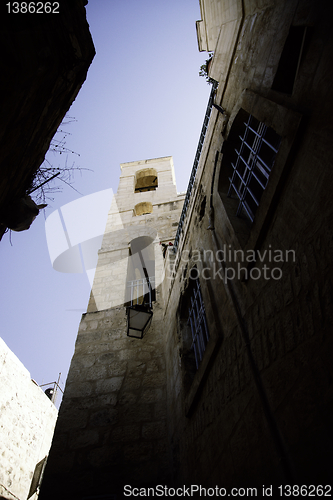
(198, 323)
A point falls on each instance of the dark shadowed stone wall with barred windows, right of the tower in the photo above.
(258, 409)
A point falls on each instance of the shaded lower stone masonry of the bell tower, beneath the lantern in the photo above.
(112, 429)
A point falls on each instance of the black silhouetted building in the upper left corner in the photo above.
(45, 59)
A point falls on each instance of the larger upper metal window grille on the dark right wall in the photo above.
(256, 150)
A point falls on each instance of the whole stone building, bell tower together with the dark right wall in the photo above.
(232, 384)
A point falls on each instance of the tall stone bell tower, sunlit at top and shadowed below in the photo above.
(111, 429)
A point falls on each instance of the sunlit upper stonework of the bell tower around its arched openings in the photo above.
(123, 225)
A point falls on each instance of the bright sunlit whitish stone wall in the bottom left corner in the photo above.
(27, 420)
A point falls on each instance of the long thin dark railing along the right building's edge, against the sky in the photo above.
(195, 164)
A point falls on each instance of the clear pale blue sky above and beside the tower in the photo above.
(143, 98)
